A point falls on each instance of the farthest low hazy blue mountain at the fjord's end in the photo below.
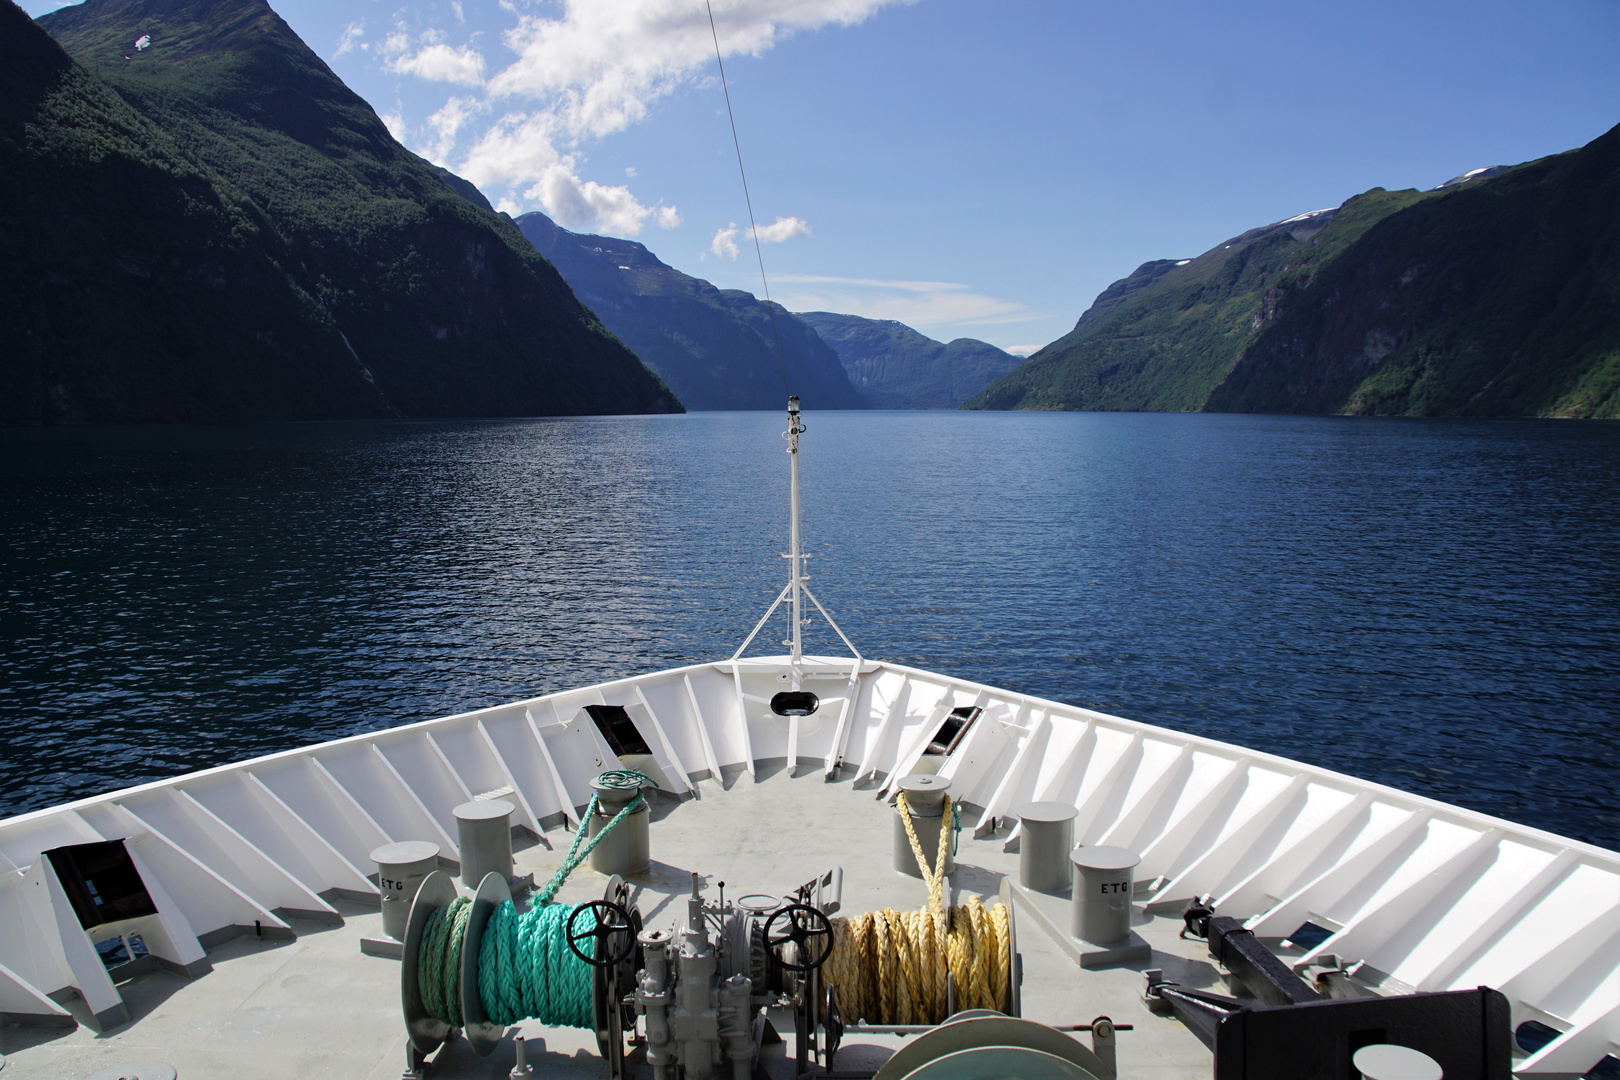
(895, 367)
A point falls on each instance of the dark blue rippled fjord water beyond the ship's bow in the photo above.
(1428, 605)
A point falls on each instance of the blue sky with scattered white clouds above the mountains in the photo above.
(970, 168)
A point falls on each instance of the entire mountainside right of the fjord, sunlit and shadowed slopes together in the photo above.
(1493, 296)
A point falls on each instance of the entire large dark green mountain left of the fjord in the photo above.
(215, 227)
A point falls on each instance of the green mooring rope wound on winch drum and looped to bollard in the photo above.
(526, 967)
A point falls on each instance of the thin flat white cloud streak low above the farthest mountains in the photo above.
(914, 304)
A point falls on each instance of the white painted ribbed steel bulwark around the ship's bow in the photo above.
(1425, 895)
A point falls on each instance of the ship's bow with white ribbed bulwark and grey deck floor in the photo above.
(1425, 896)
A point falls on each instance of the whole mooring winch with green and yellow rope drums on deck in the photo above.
(696, 1001)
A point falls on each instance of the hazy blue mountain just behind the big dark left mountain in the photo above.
(712, 346)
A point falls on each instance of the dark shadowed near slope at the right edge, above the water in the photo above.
(1499, 299)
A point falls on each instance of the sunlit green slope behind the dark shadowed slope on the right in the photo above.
(1166, 338)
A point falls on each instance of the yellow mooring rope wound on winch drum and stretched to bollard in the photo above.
(889, 967)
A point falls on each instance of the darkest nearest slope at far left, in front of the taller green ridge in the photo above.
(137, 284)
